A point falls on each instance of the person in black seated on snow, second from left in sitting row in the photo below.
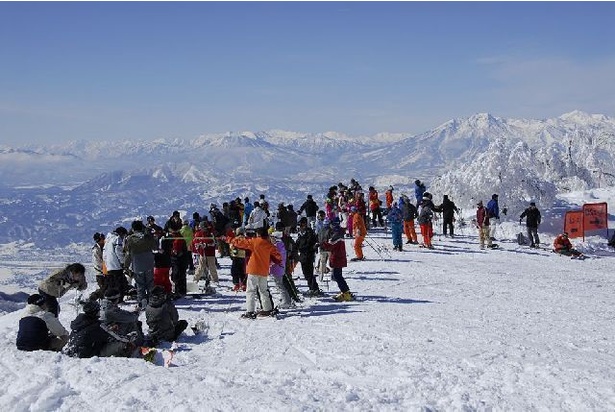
(87, 338)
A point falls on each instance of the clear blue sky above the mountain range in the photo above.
(146, 70)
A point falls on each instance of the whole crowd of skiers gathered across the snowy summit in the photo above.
(151, 263)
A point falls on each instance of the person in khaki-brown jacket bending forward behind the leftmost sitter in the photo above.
(60, 282)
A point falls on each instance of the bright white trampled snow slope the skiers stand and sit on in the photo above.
(453, 328)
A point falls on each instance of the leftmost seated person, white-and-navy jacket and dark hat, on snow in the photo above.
(40, 329)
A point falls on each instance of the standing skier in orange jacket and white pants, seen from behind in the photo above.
(262, 253)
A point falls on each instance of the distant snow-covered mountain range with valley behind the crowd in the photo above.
(60, 194)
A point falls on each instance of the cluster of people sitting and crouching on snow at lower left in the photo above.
(102, 329)
